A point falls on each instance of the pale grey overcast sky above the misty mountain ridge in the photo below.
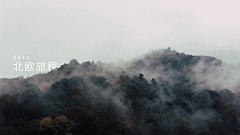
(106, 30)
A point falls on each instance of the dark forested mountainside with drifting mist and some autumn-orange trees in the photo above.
(164, 92)
